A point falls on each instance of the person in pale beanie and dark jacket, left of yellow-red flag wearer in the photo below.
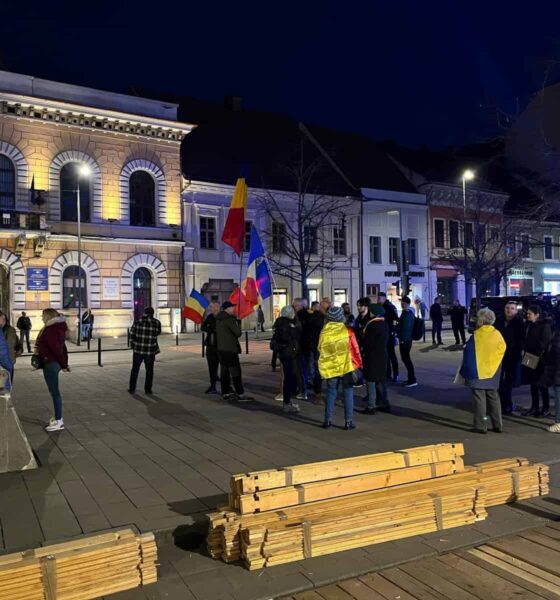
(286, 340)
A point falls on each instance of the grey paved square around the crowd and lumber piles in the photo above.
(159, 463)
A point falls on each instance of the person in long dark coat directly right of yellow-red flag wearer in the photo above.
(374, 358)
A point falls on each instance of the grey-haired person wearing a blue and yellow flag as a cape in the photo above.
(482, 359)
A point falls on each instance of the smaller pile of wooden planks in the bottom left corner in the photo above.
(81, 569)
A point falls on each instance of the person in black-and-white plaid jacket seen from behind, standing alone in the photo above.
(143, 341)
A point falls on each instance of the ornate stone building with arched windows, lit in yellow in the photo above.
(113, 159)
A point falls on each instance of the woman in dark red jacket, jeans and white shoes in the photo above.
(52, 351)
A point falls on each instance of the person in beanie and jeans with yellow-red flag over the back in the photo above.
(339, 357)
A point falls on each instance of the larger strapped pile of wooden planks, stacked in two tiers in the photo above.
(328, 507)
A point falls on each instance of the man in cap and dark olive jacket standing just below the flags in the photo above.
(228, 331)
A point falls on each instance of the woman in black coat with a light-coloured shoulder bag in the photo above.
(538, 336)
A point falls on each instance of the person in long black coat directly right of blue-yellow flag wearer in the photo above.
(513, 331)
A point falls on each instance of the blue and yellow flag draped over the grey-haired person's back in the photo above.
(483, 353)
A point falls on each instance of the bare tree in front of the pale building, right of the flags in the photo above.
(301, 225)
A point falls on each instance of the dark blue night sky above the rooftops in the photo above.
(418, 71)
